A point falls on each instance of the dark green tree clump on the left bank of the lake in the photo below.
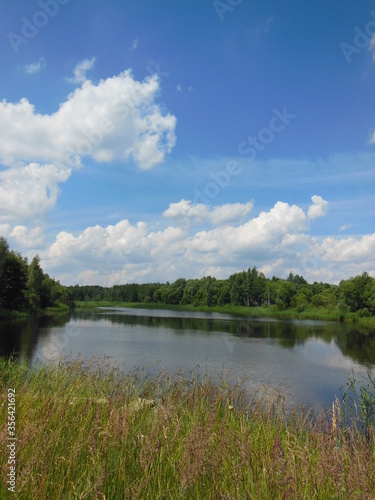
(24, 286)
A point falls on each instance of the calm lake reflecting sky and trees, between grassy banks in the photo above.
(309, 360)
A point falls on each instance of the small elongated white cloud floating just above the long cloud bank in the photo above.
(187, 211)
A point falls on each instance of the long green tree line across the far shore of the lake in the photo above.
(247, 288)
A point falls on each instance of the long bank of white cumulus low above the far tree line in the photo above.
(138, 253)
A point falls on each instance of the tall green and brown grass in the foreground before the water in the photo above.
(93, 432)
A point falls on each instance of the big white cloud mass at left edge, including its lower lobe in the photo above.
(115, 120)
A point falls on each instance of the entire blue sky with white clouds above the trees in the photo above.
(146, 141)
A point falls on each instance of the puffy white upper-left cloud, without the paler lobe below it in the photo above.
(117, 119)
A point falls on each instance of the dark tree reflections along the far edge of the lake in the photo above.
(358, 344)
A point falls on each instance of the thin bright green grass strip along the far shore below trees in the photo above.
(265, 312)
